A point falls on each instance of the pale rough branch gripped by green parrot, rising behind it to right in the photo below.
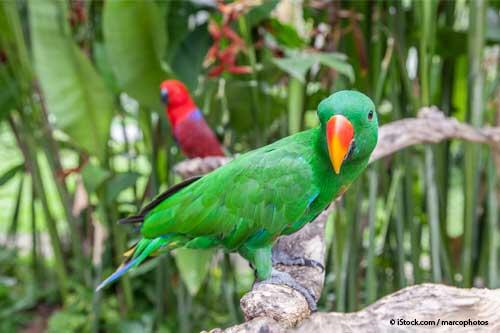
(281, 303)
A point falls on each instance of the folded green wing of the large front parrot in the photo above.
(256, 195)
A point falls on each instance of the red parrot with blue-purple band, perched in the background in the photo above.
(189, 127)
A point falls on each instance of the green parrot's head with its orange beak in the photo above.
(350, 126)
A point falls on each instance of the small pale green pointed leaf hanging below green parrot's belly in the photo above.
(193, 266)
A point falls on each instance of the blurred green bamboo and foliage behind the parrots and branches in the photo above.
(84, 141)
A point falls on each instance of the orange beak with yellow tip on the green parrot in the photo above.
(339, 136)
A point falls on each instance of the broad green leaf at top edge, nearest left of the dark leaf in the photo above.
(135, 43)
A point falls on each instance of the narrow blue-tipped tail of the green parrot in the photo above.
(141, 251)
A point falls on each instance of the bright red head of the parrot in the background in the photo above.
(177, 100)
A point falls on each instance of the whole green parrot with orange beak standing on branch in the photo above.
(275, 190)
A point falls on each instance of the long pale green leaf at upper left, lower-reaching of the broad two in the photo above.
(75, 94)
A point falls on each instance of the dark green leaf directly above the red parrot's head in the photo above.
(188, 60)
